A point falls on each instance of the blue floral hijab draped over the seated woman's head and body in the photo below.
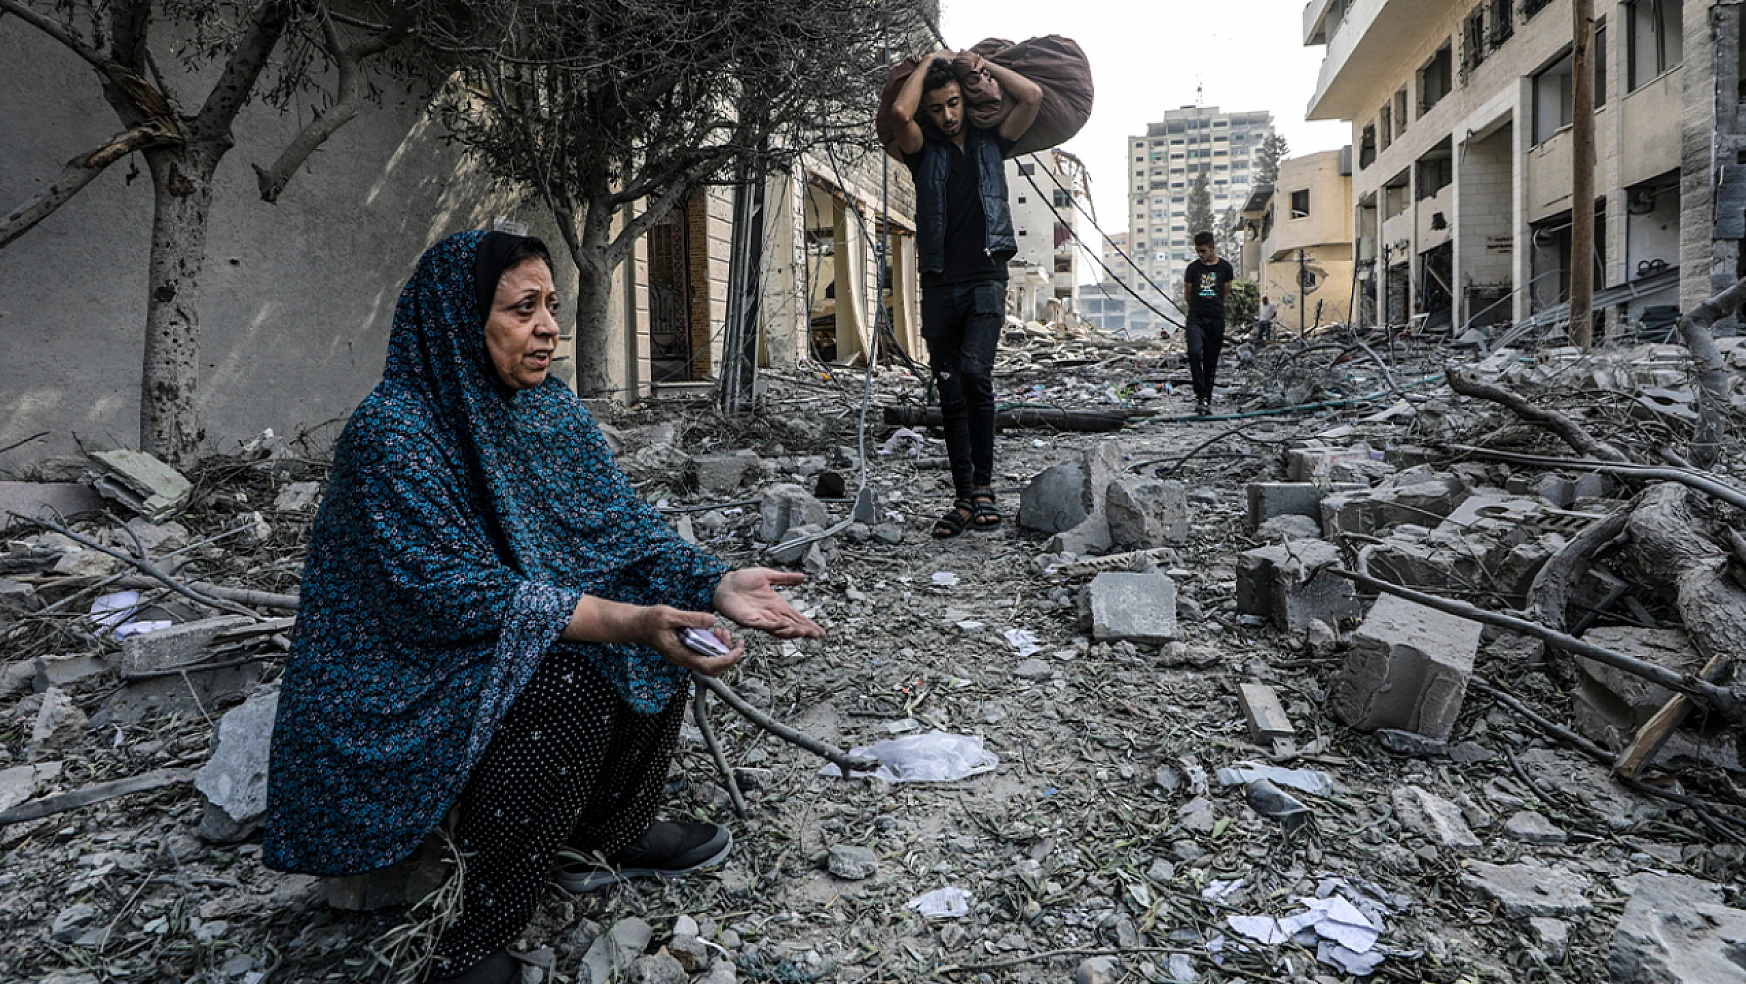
(462, 526)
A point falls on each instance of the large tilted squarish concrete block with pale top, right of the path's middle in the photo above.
(1406, 669)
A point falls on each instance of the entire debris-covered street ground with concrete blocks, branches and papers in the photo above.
(1186, 749)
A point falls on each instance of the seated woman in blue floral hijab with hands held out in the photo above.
(491, 620)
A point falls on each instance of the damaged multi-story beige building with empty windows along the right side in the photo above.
(1464, 154)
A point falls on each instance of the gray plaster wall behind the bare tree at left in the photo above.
(296, 301)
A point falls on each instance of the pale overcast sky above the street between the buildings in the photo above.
(1148, 57)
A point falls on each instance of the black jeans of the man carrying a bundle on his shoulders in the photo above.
(963, 331)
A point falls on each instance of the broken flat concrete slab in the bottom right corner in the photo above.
(1677, 931)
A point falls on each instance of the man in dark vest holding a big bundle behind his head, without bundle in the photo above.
(965, 238)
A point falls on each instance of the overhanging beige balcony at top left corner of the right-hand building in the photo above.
(1366, 53)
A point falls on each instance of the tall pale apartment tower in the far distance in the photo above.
(1162, 170)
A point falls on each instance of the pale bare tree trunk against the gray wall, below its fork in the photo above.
(182, 182)
